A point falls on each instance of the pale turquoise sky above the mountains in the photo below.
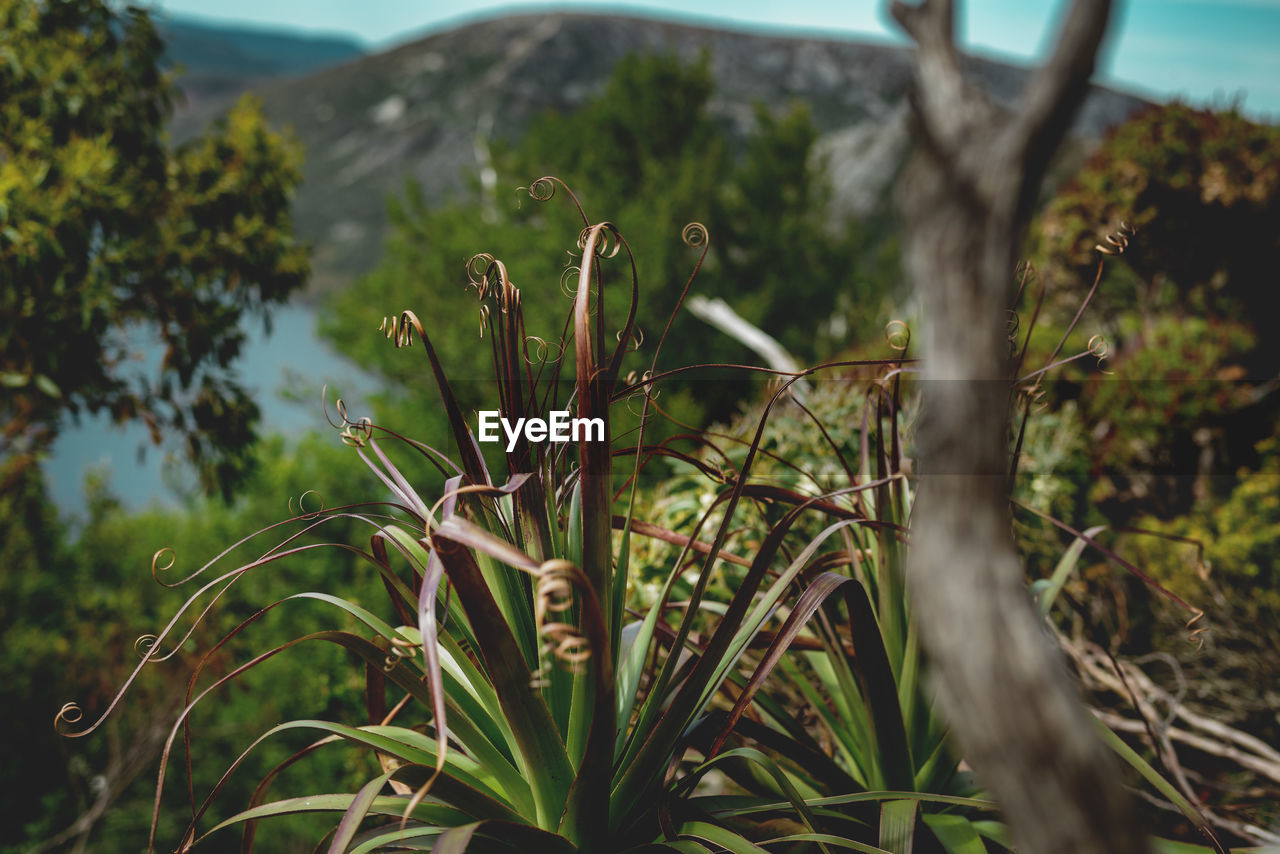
(1208, 52)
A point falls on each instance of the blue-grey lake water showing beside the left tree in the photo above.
(285, 371)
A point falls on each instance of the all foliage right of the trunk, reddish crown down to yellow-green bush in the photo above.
(1174, 422)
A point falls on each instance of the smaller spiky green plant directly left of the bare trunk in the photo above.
(839, 686)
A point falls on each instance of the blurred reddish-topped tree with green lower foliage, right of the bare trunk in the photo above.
(1196, 373)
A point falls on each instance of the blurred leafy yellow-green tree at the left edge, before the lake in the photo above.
(109, 240)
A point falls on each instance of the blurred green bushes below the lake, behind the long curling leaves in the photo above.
(88, 596)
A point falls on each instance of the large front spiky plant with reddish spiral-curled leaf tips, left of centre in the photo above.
(511, 705)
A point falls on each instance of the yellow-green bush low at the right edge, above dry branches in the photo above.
(1224, 556)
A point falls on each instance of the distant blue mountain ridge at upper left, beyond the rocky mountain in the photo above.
(220, 62)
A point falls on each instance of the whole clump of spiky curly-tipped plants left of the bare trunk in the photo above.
(511, 704)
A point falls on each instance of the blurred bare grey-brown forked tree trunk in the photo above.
(967, 198)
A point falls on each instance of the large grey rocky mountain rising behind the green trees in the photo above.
(426, 111)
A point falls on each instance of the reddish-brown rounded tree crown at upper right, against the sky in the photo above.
(1203, 189)
